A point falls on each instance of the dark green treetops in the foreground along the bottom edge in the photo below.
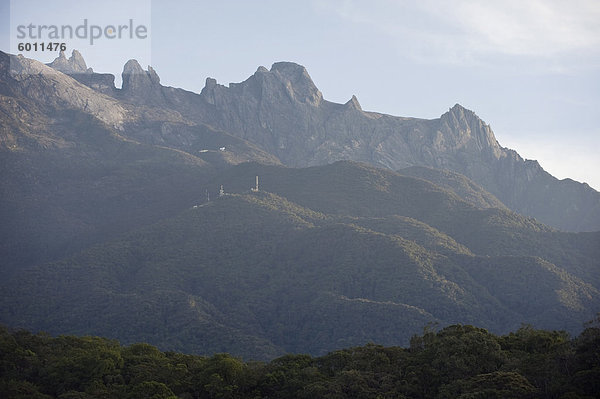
(460, 361)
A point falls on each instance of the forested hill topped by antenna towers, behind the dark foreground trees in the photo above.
(257, 275)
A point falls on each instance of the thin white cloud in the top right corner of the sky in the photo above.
(473, 32)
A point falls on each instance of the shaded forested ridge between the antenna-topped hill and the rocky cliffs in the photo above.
(357, 190)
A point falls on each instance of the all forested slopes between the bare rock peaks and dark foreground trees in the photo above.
(321, 258)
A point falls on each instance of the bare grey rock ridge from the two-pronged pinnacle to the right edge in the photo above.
(282, 112)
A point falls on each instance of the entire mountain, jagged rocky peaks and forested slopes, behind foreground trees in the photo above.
(366, 227)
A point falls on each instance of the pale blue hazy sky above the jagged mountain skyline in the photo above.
(530, 68)
